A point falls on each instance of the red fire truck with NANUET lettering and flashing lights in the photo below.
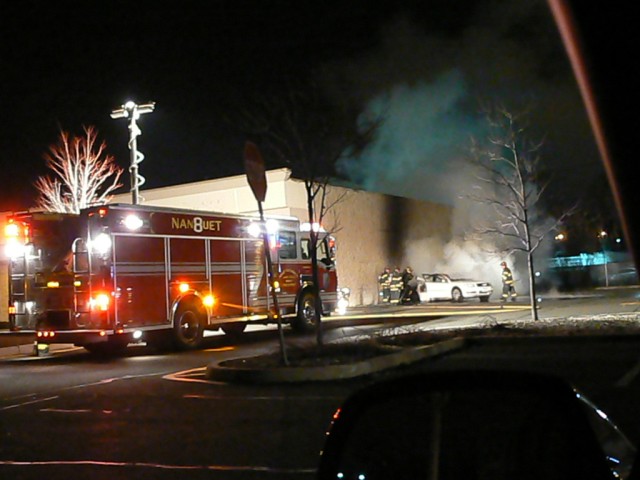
(117, 274)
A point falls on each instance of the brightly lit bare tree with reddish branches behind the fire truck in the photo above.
(84, 175)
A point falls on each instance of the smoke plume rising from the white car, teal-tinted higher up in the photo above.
(427, 88)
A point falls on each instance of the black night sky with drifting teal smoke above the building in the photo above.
(425, 64)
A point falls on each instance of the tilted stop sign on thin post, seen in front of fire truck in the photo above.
(254, 168)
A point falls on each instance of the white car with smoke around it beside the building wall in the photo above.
(440, 286)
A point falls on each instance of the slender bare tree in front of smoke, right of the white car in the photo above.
(510, 186)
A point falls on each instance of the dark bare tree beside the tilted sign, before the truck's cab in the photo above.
(305, 130)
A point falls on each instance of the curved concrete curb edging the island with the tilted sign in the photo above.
(220, 372)
